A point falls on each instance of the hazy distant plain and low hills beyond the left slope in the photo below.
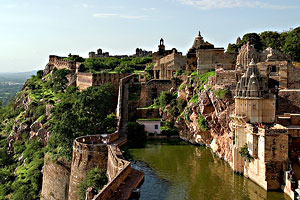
(12, 83)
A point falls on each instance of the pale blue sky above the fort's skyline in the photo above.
(31, 30)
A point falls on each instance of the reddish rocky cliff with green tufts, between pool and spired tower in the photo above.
(206, 117)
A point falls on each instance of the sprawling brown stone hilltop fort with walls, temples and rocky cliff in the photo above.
(242, 103)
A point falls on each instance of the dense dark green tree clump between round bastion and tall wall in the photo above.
(90, 109)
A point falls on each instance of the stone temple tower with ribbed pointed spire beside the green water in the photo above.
(254, 105)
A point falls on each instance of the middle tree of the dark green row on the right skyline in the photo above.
(271, 39)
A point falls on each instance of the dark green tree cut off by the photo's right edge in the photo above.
(292, 44)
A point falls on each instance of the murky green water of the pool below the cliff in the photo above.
(177, 170)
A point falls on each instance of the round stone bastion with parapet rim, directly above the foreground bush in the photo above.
(88, 152)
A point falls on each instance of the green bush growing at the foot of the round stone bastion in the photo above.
(96, 178)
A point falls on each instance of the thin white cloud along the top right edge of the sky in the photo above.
(217, 4)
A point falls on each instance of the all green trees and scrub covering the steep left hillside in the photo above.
(73, 114)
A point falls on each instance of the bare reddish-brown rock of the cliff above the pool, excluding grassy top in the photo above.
(216, 112)
